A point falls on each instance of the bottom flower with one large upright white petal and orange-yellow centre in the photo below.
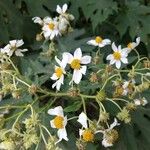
(87, 134)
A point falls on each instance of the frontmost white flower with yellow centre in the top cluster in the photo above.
(50, 28)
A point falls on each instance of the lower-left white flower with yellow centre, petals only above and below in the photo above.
(59, 122)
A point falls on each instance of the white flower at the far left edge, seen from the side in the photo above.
(13, 47)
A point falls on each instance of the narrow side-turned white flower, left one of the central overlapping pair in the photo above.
(58, 76)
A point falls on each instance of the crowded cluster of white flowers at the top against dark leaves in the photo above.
(52, 27)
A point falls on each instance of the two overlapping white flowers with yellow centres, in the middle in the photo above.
(77, 63)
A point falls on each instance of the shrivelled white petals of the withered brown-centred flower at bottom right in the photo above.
(106, 142)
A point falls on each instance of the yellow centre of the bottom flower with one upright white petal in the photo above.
(88, 136)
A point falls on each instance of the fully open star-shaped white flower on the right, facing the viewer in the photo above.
(118, 56)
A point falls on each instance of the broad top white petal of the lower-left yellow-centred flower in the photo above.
(58, 111)
